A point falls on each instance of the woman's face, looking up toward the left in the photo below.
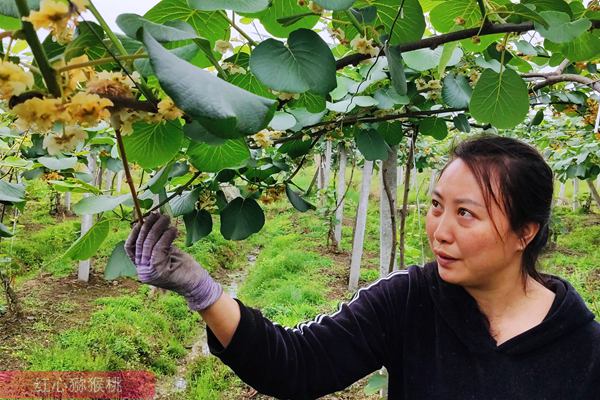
(469, 250)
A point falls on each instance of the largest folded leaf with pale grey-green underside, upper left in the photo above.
(222, 108)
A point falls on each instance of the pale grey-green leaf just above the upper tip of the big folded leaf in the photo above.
(131, 23)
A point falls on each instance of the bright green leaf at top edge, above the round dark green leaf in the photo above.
(285, 8)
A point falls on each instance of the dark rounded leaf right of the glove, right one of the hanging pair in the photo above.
(241, 218)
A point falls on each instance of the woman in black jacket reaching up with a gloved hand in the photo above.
(478, 323)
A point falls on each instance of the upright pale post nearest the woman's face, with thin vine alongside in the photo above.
(387, 214)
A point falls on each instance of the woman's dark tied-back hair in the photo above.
(523, 182)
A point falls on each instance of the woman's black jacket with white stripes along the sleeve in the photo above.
(433, 340)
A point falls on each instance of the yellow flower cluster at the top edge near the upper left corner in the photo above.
(58, 16)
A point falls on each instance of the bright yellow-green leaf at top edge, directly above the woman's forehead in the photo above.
(443, 16)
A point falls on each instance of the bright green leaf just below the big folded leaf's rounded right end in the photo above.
(232, 154)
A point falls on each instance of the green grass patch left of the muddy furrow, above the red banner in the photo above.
(127, 332)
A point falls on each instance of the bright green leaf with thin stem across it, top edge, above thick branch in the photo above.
(410, 24)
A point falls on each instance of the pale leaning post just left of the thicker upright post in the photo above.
(360, 225)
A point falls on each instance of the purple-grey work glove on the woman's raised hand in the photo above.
(161, 264)
